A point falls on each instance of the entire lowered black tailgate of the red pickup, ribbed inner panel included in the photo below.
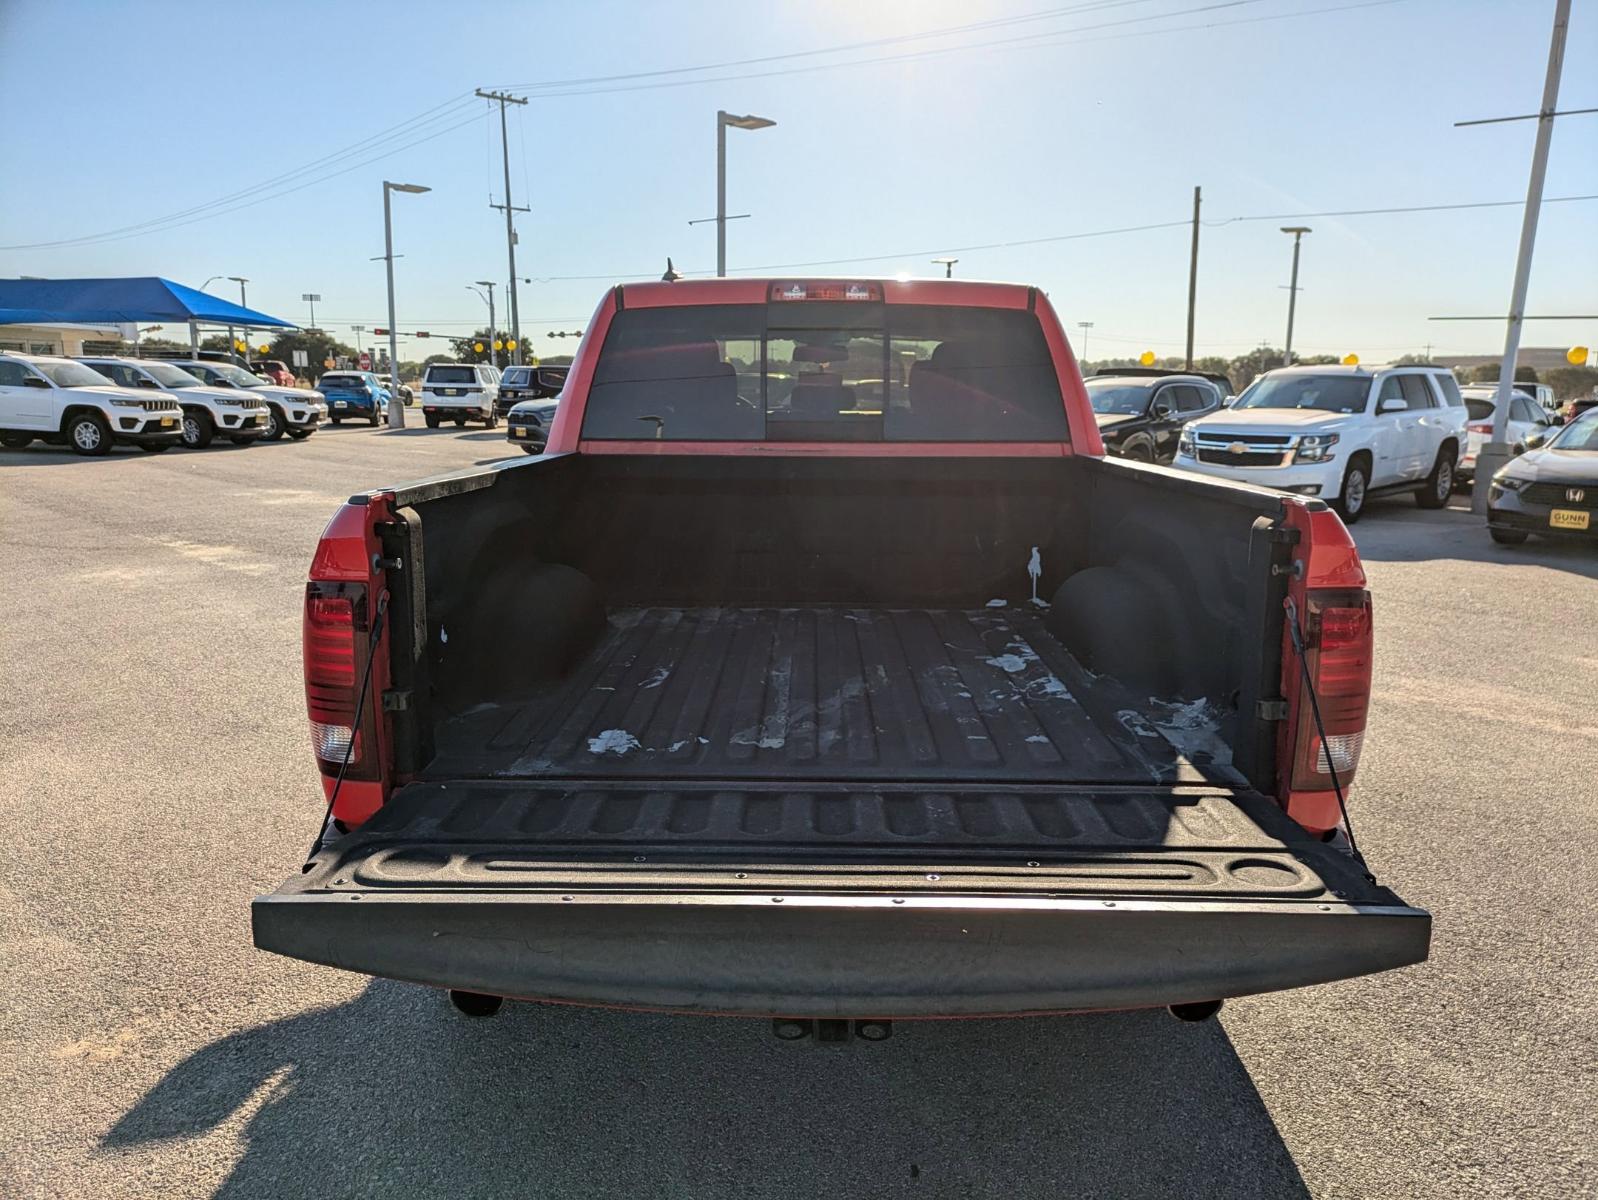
(840, 902)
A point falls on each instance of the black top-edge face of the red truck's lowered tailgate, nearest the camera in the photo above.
(808, 955)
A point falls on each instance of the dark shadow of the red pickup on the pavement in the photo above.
(397, 1095)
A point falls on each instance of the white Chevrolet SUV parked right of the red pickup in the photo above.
(1342, 434)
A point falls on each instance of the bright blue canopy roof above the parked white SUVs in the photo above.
(116, 301)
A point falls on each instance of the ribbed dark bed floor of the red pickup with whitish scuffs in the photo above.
(921, 696)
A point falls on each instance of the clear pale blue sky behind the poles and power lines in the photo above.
(116, 114)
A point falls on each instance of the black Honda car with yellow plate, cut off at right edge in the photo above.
(1551, 490)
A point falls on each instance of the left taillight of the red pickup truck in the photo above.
(336, 648)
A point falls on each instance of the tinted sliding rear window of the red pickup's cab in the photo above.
(825, 372)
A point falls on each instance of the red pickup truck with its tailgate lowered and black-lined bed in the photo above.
(827, 669)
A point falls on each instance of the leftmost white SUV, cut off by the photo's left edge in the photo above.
(68, 403)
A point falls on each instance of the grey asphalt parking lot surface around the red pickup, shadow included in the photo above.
(157, 776)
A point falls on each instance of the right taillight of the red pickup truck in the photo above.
(1338, 650)
